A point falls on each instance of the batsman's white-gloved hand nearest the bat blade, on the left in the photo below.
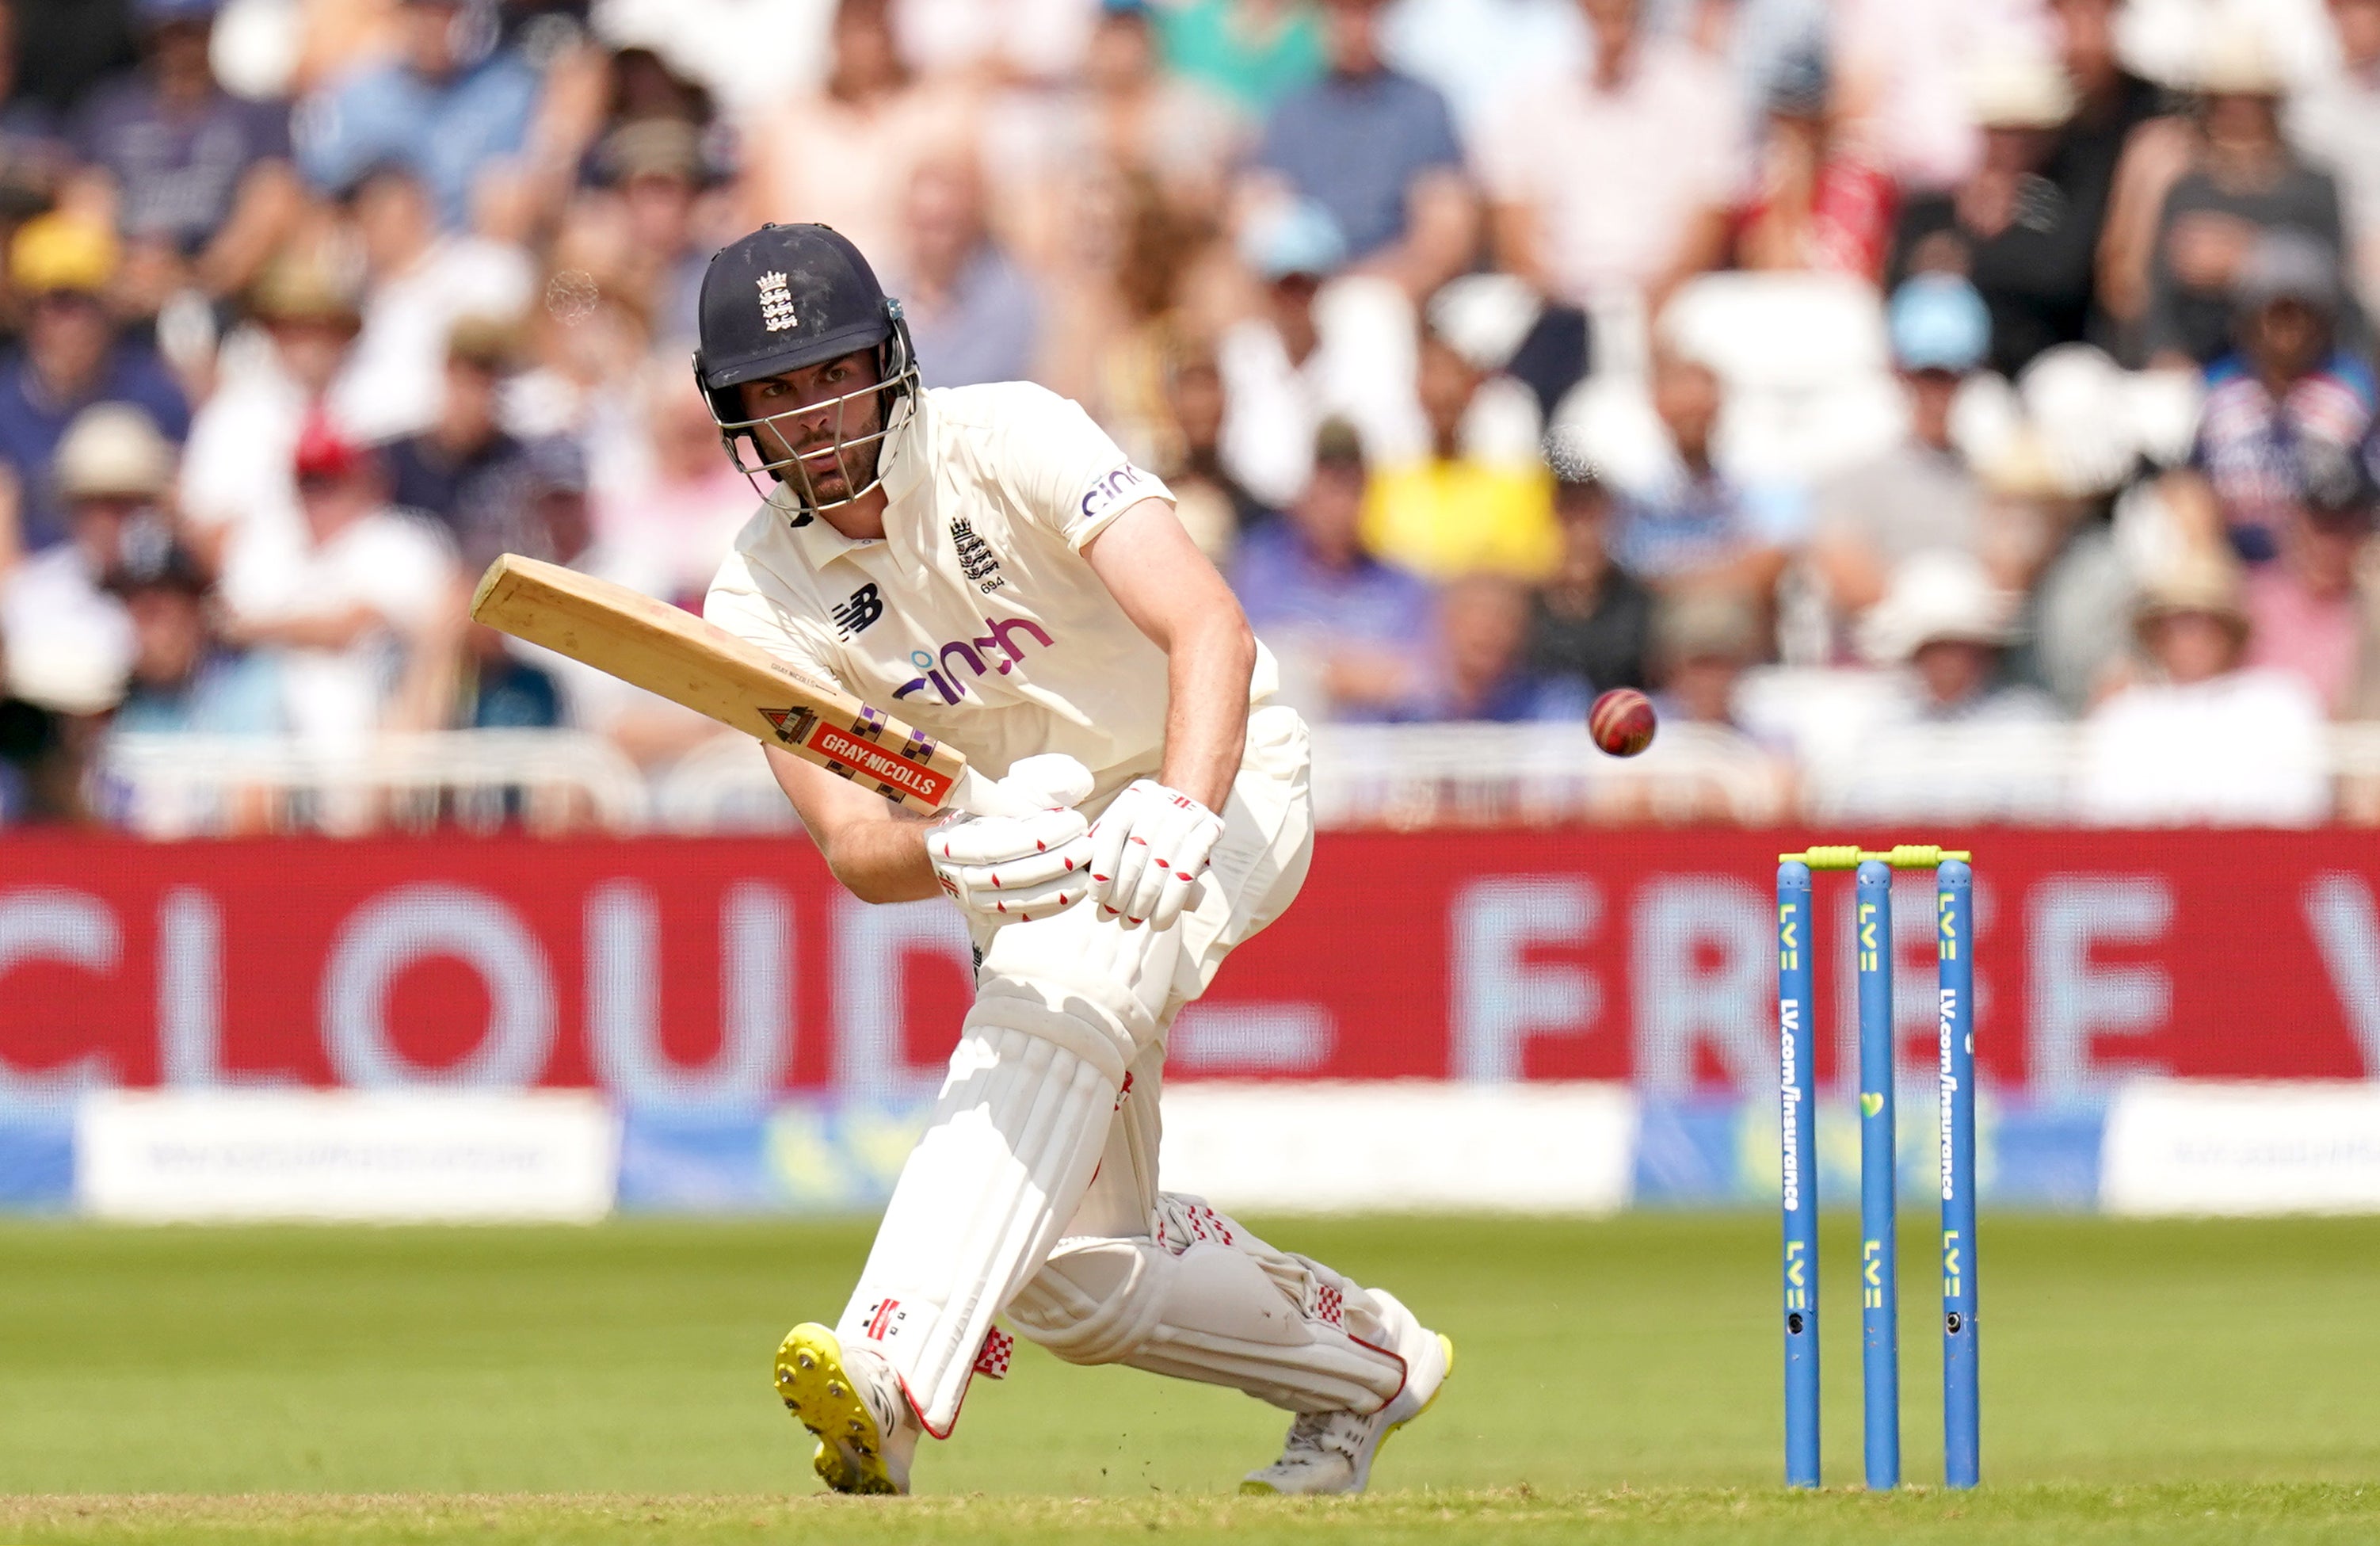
(1010, 871)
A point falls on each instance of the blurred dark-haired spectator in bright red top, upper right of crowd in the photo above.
(1817, 201)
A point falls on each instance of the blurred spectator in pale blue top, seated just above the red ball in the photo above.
(1701, 530)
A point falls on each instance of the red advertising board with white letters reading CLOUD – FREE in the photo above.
(725, 971)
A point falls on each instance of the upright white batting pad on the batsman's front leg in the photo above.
(1003, 1166)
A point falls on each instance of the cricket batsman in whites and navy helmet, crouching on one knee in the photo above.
(989, 566)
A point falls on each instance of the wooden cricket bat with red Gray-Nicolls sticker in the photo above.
(706, 668)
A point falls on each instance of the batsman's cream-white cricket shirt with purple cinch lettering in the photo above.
(975, 618)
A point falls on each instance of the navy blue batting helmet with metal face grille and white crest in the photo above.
(784, 299)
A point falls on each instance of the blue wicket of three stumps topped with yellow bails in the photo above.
(1879, 1249)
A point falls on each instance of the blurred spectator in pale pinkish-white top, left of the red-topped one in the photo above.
(1596, 177)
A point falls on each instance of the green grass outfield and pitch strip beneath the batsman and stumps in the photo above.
(2174, 1383)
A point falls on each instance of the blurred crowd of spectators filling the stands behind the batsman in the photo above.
(2008, 361)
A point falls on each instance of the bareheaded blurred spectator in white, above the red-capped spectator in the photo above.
(420, 285)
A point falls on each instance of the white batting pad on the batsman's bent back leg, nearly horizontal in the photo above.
(1210, 1302)
